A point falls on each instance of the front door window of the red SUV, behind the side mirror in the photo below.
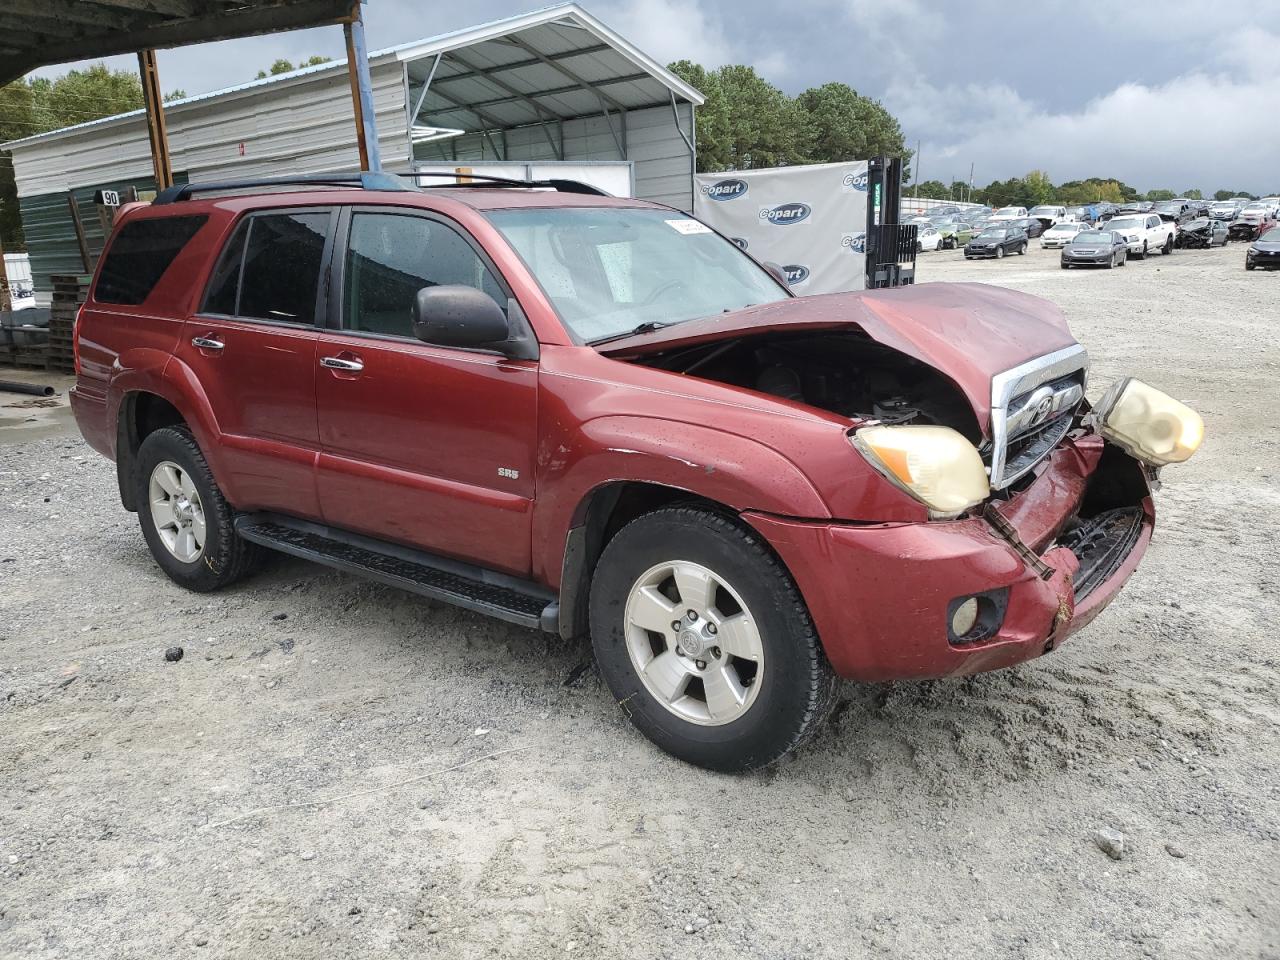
(391, 258)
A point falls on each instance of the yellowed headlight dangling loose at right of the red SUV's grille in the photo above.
(1149, 424)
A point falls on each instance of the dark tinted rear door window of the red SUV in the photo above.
(271, 269)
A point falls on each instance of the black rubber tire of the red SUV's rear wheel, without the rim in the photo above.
(226, 557)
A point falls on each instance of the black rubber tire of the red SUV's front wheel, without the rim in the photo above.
(798, 687)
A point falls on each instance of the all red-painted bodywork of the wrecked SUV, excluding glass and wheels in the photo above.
(492, 460)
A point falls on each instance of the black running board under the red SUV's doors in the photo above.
(440, 578)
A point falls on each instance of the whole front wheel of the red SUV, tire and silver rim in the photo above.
(706, 643)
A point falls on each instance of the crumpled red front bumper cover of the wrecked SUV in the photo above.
(880, 595)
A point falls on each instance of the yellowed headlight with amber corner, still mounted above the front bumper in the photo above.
(934, 464)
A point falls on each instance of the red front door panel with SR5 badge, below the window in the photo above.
(413, 446)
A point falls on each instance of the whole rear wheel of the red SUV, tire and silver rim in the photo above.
(186, 520)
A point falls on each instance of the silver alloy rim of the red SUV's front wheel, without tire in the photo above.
(693, 643)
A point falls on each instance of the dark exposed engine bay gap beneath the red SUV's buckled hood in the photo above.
(844, 373)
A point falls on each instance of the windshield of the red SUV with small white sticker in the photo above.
(607, 271)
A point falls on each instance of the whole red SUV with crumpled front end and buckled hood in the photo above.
(600, 417)
